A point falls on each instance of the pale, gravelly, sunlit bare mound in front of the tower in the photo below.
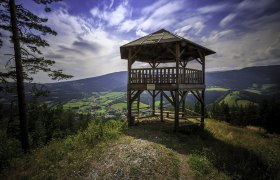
(132, 158)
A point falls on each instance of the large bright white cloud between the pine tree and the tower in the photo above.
(81, 50)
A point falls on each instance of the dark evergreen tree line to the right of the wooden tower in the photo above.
(265, 114)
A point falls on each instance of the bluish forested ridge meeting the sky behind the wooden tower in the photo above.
(238, 79)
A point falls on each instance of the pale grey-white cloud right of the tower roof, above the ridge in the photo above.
(245, 50)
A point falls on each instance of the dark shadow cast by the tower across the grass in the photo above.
(234, 161)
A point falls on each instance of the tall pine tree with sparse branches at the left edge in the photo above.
(26, 31)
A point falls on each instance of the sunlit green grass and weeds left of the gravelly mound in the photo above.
(66, 158)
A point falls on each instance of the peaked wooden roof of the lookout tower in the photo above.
(159, 47)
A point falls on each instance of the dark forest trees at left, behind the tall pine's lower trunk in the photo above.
(46, 123)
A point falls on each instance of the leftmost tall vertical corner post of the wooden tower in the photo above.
(129, 115)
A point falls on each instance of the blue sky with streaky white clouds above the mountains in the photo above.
(243, 33)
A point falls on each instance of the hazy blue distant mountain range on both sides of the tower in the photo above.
(251, 77)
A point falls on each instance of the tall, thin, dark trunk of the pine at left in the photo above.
(20, 84)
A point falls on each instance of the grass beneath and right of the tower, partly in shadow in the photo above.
(221, 151)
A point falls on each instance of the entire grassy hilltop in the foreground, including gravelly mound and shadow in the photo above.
(151, 150)
